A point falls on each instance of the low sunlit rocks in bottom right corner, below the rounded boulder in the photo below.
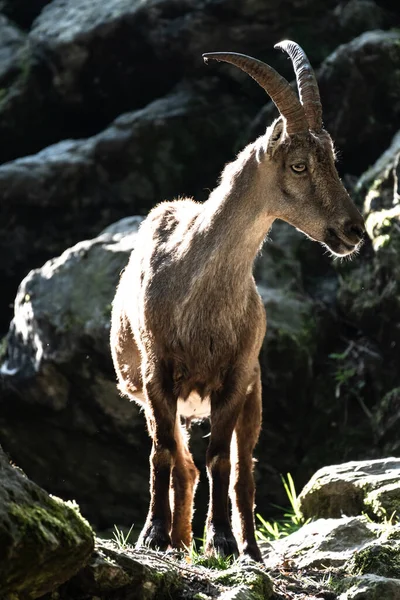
(345, 558)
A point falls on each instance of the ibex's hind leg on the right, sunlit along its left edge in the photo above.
(242, 489)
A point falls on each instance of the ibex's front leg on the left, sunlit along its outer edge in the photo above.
(161, 415)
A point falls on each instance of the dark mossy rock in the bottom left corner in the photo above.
(43, 540)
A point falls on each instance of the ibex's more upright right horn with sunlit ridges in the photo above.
(306, 82)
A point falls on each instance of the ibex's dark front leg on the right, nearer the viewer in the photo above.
(226, 405)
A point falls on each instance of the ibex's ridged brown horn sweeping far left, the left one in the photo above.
(274, 84)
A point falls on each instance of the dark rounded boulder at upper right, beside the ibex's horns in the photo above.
(359, 98)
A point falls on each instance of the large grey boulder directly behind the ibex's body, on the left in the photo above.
(60, 362)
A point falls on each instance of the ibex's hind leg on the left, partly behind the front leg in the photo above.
(185, 476)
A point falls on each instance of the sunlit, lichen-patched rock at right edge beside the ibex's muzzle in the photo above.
(369, 291)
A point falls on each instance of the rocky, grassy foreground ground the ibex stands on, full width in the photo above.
(348, 548)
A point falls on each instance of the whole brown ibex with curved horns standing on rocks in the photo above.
(188, 322)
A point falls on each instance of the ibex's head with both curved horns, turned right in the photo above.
(297, 156)
